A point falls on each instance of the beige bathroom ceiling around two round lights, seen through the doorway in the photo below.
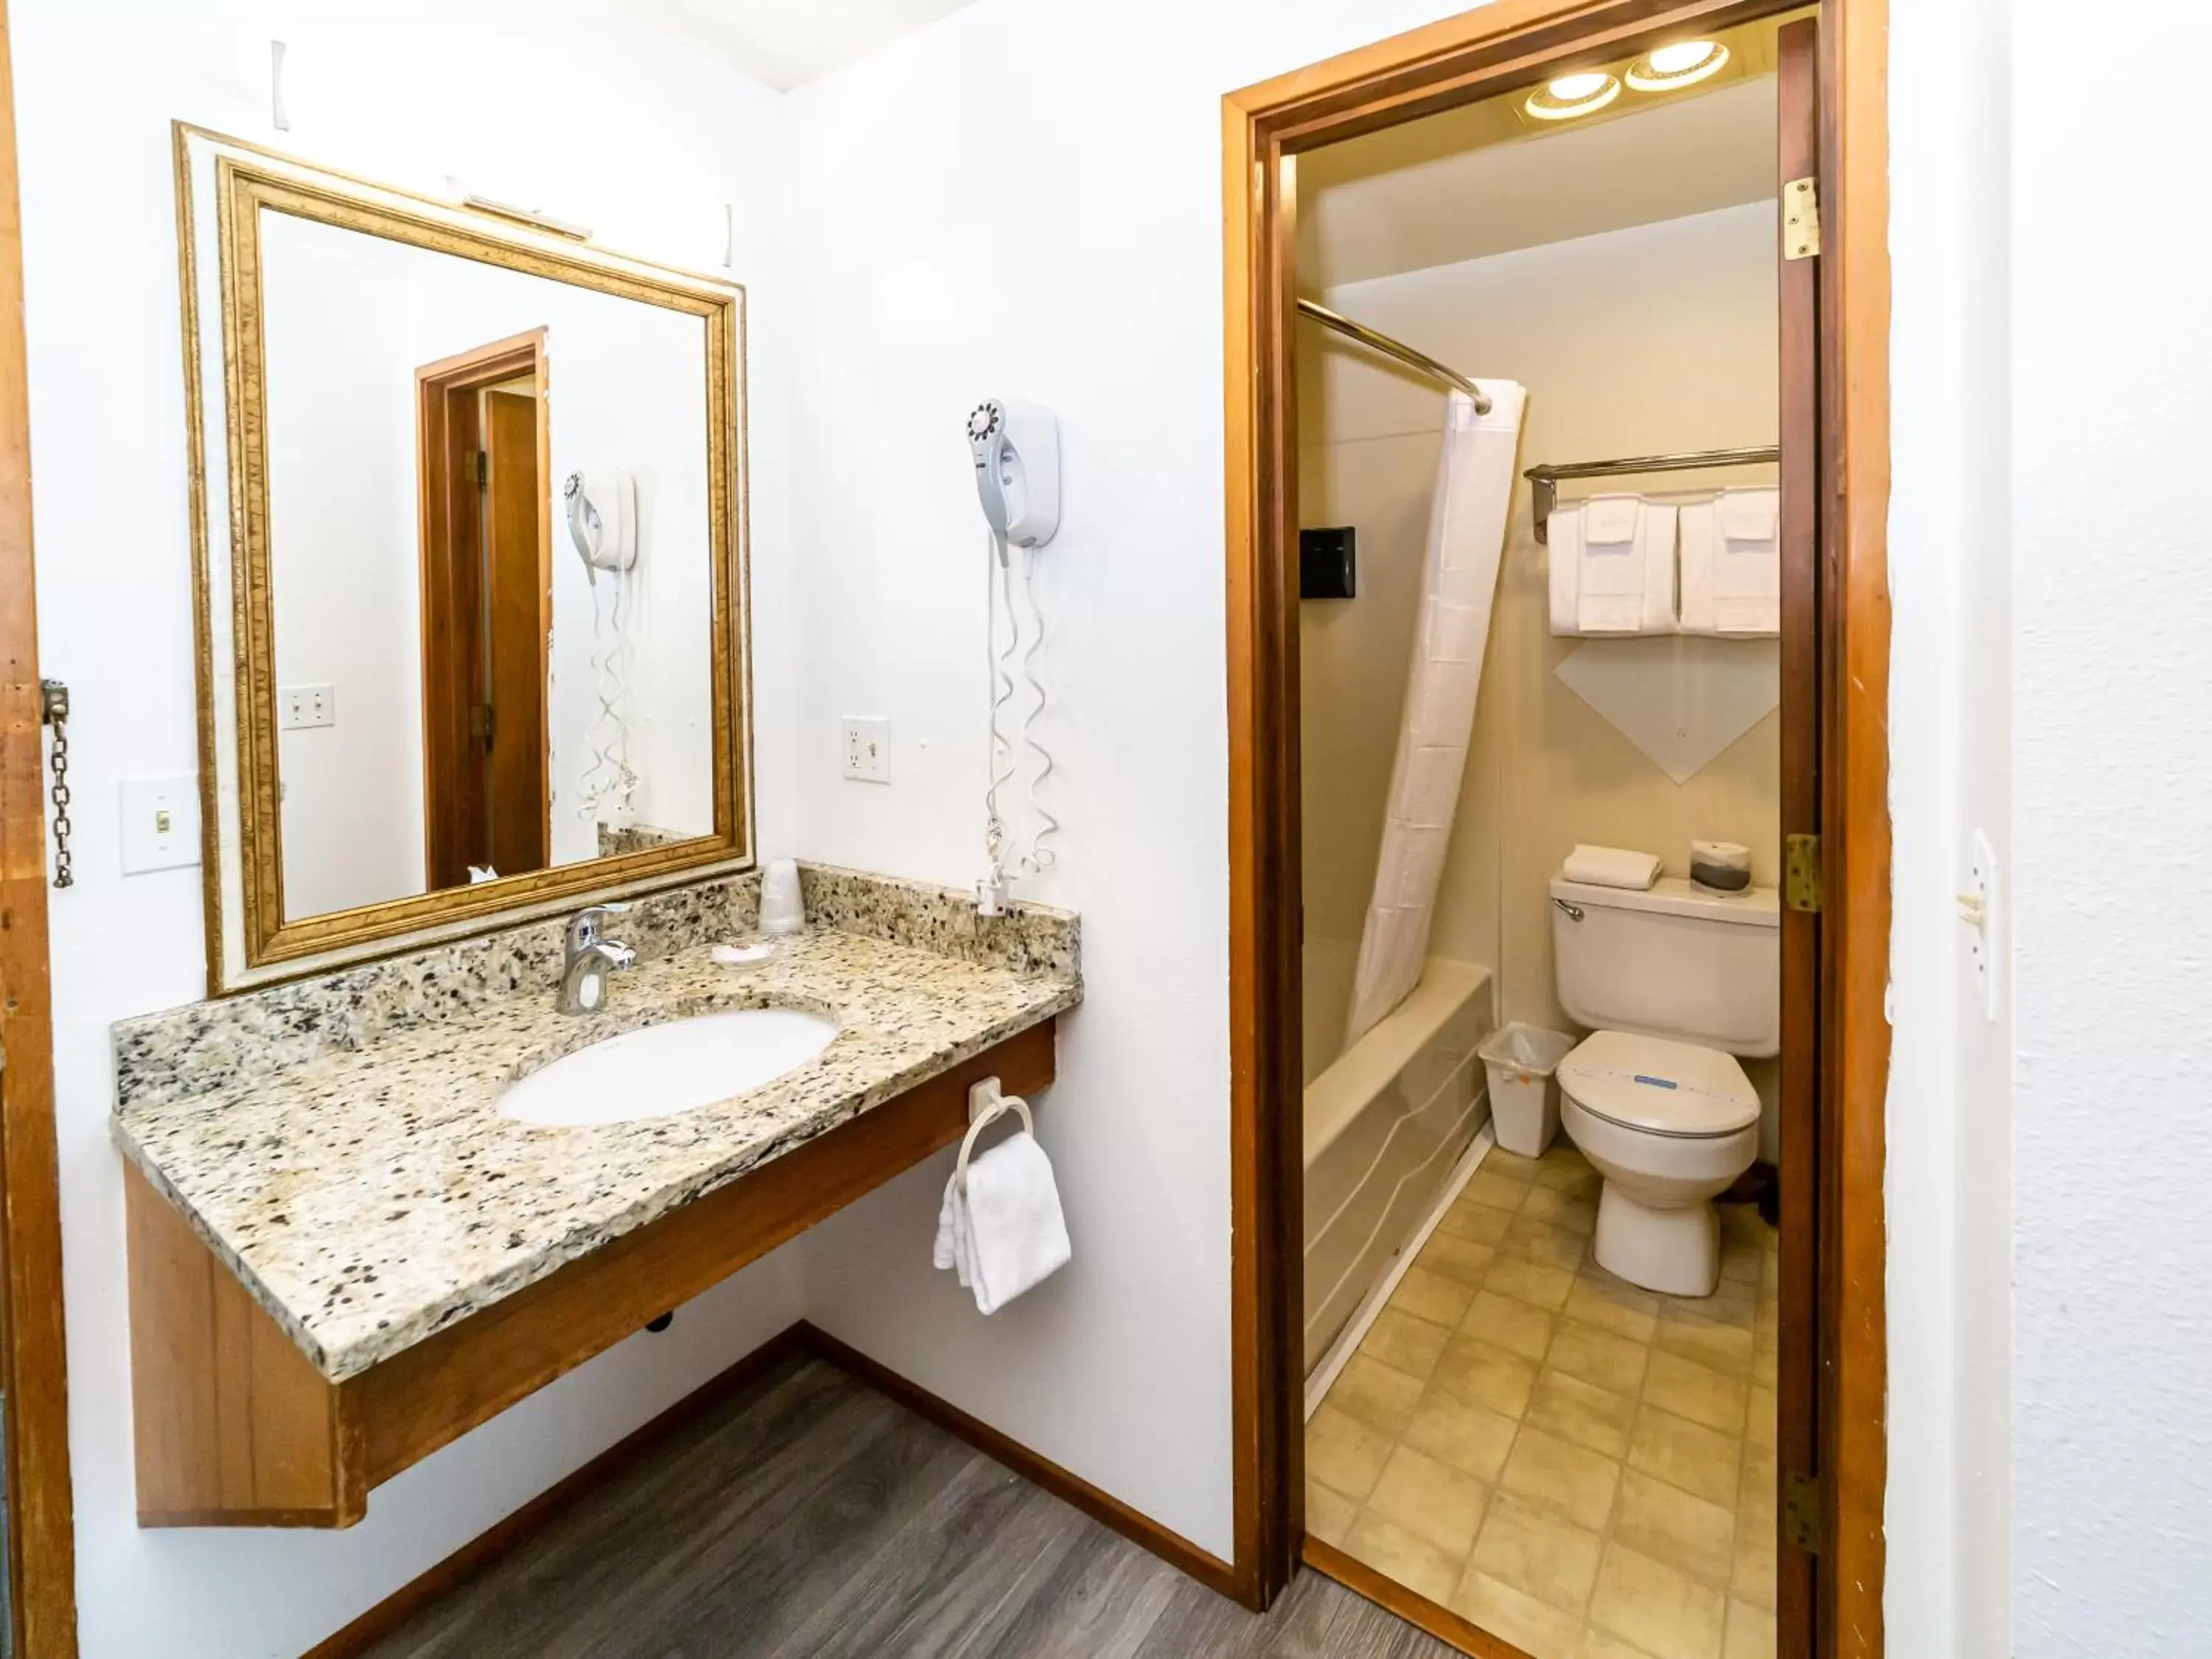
(1483, 180)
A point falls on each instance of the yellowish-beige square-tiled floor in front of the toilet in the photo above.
(1580, 1468)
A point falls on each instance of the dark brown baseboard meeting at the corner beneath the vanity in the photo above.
(517, 1527)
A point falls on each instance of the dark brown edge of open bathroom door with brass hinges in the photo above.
(1804, 722)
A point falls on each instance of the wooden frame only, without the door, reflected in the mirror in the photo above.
(474, 371)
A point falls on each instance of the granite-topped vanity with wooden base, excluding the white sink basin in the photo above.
(344, 1255)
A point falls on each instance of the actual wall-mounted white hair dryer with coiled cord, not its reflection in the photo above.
(1016, 452)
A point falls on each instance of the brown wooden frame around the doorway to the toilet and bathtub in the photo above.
(1512, 43)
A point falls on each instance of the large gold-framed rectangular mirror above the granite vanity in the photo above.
(470, 565)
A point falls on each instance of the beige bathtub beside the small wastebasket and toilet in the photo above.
(1386, 1123)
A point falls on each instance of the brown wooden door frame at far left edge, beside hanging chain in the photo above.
(34, 1370)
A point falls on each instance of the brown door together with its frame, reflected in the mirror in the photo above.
(488, 612)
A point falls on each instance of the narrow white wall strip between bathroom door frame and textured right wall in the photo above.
(1950, 1198)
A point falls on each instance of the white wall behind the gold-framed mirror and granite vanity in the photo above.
(674, 138)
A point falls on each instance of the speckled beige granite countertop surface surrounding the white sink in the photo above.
(371, 1196)
